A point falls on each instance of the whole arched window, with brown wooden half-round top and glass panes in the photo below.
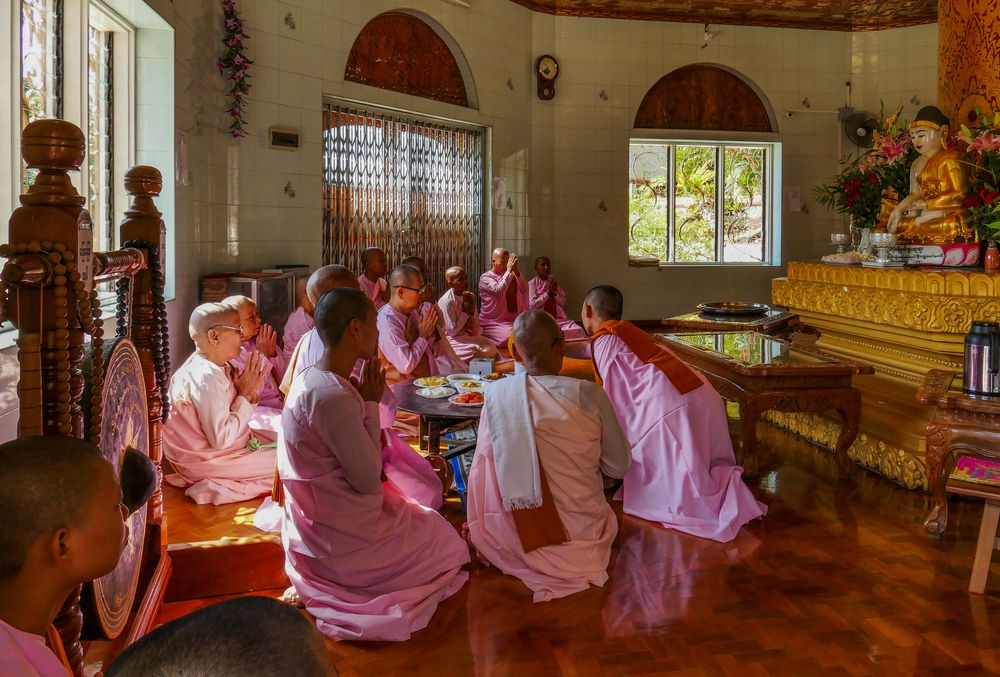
(701, 191)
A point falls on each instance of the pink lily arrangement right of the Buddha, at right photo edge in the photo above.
(983, 153)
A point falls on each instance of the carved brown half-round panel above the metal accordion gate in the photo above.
(399, 52)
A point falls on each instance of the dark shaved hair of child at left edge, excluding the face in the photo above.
(48, 484)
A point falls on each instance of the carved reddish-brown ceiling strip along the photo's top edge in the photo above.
(834, 15)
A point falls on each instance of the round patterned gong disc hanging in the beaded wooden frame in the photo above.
(107, 601)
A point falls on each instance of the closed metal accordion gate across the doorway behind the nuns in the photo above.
(410, 186)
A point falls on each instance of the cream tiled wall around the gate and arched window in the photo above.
(560, 159)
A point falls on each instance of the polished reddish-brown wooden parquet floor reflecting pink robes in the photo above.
(839, 578)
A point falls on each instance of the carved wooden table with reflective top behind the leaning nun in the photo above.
(762, 373)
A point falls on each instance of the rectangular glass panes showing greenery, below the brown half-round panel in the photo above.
(696, 202)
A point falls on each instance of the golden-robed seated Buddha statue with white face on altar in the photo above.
(933, 213)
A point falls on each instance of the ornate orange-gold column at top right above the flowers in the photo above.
(968, 58)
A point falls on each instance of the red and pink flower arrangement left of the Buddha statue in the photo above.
(884, 169)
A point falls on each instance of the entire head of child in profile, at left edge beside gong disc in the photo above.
(64, 522)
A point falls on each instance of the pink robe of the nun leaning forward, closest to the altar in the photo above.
(684, 473)
